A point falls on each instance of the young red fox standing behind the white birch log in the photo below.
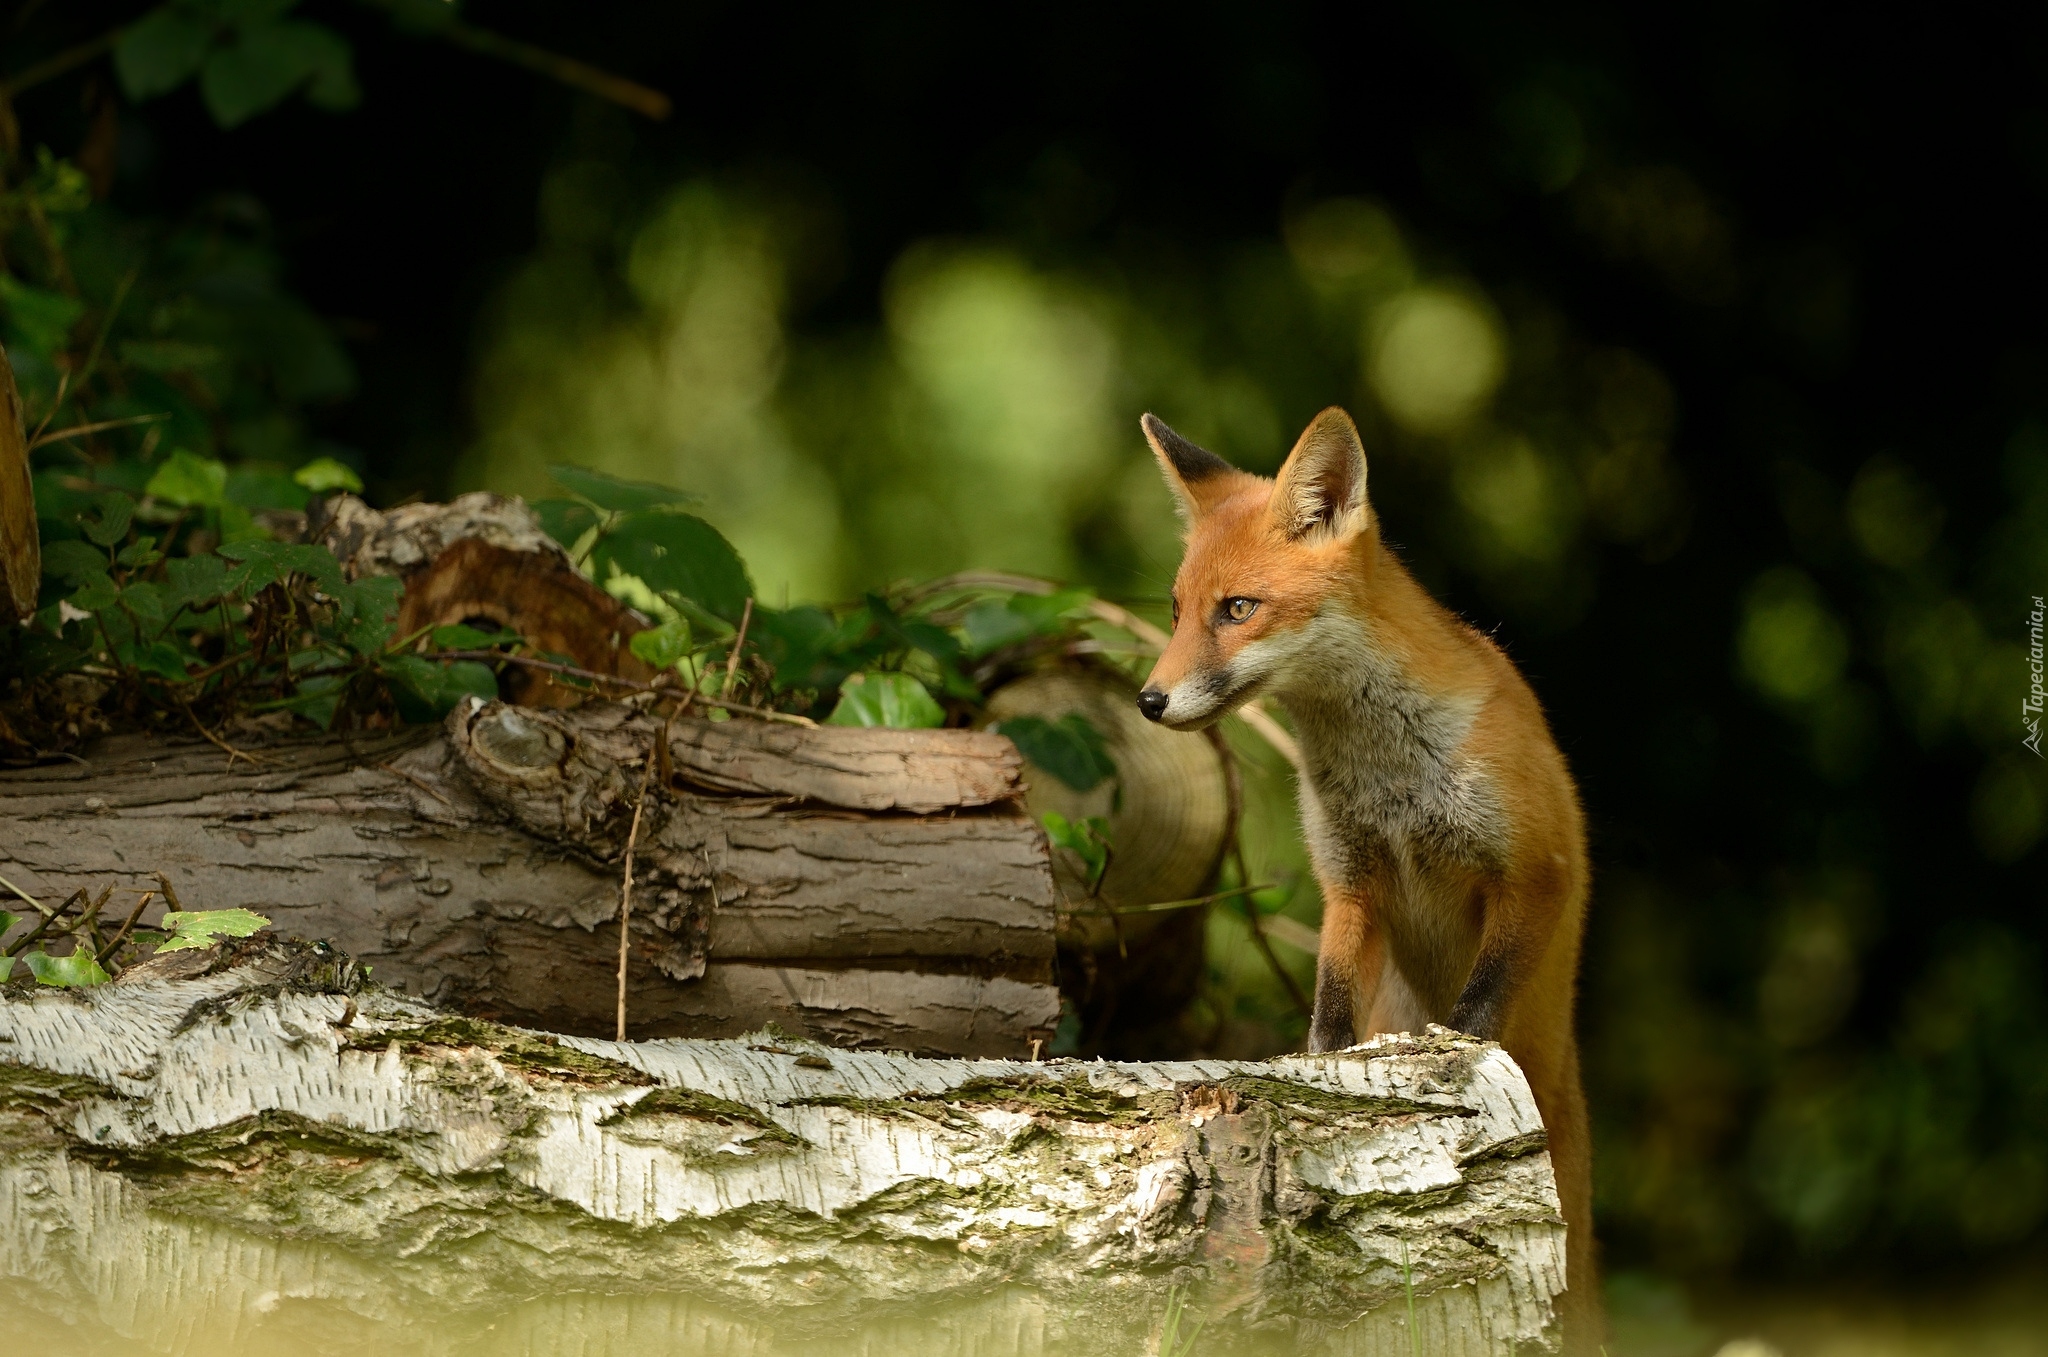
(1441, 818)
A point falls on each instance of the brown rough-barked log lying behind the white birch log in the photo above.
(861, 887)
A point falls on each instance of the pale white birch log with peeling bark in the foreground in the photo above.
(278, 1133)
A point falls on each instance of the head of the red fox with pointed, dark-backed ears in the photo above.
(1269, 568)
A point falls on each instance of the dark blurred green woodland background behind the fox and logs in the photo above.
(1701, 361)
